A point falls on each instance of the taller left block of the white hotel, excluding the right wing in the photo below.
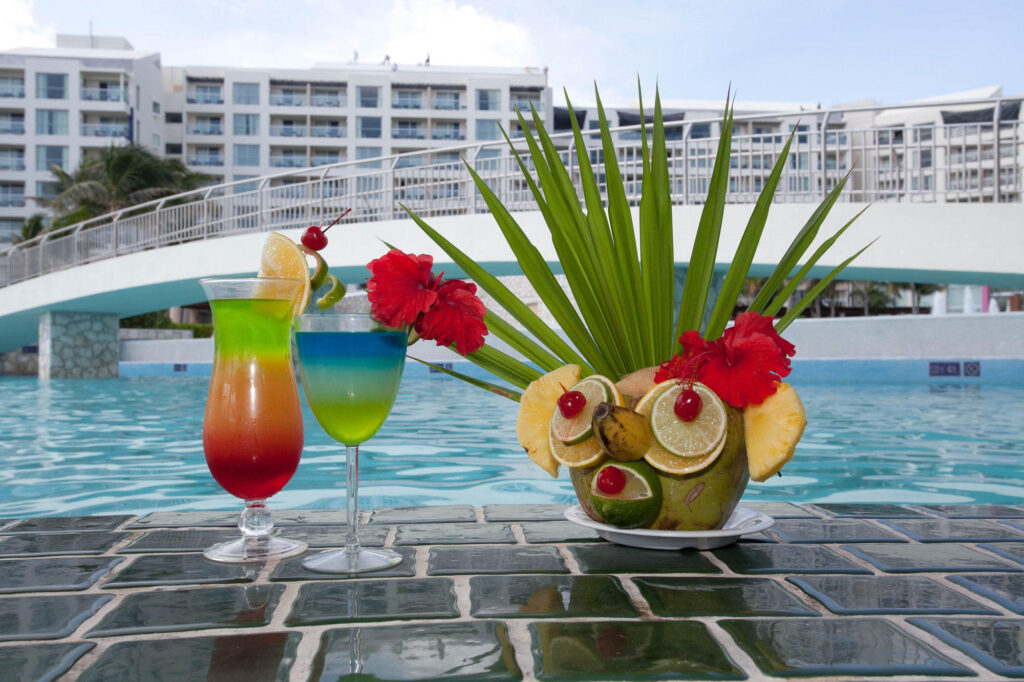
(57, 105)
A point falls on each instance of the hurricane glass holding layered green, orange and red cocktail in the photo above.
(252, 432)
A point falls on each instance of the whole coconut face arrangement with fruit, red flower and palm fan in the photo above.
(661, 406)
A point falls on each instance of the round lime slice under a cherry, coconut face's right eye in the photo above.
(697, 439)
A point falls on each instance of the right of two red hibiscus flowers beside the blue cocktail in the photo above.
(456, 319)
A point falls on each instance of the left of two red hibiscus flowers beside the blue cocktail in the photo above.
(402, 288)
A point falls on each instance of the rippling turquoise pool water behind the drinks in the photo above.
(135, 446)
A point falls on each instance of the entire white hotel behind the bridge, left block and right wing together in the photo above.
(58, 105)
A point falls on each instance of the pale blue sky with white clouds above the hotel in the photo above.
(825, 52)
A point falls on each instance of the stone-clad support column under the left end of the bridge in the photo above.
(78, 346)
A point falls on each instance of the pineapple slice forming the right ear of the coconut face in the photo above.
(773, 431)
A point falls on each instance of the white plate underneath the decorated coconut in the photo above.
(742, 523)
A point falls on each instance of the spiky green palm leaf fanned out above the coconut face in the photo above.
(622, 275)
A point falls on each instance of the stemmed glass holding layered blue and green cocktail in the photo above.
(351, 367)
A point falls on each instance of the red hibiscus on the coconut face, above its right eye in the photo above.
(743, 368)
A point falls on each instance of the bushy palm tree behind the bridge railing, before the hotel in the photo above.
(118, 178)
